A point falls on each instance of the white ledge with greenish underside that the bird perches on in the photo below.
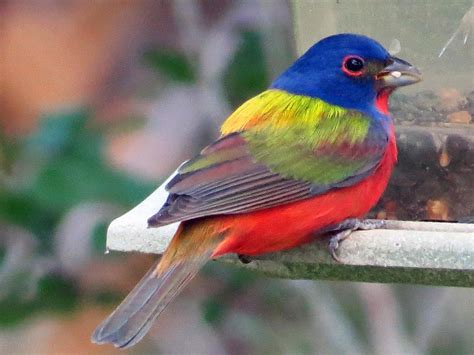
(407, 252)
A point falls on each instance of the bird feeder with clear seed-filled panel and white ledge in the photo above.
(430, 196)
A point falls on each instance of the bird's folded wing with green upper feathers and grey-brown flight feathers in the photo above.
(248, 171)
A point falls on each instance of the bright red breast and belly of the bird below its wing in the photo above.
(293, 224)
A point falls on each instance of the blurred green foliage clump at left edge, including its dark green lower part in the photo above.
(65, 155)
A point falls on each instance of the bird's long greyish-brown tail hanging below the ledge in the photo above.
(191, 247)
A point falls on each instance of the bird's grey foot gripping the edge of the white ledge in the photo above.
(344, 229)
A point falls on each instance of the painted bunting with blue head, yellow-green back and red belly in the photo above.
(303, 159)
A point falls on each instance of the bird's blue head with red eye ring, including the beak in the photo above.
(348, 70)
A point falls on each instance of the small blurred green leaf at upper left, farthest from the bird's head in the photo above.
(170, 63)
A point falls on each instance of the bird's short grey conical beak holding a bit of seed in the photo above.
(397, 73)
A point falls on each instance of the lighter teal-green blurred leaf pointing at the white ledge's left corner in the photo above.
(77, 171)
